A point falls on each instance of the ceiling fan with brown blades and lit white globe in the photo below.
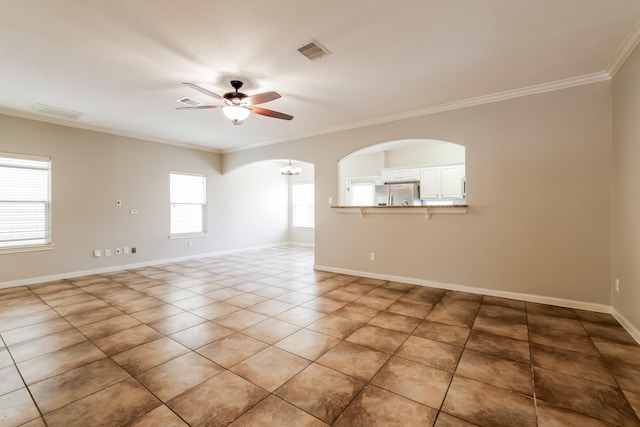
(238, 105)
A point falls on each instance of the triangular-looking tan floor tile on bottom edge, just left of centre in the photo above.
(274, 411)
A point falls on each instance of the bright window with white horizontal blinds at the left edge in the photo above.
(25, 202)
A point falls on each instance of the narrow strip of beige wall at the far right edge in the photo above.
(626, 191)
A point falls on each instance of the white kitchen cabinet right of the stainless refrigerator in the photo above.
(442, 182)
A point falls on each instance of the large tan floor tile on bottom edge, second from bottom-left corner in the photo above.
(114, 405)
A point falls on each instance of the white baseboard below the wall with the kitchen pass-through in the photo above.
(601, 308)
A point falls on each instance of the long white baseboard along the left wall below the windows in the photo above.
(79, 273)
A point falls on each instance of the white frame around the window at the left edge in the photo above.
(48, 237)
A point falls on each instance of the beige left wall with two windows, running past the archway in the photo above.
(91, 170)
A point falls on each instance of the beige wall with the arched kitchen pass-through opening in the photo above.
(538, 184)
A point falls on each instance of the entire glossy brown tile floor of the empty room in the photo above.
(259, 338)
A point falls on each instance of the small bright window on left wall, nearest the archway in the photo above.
(188, 201)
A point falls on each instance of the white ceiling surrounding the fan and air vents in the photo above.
(122, 62)
